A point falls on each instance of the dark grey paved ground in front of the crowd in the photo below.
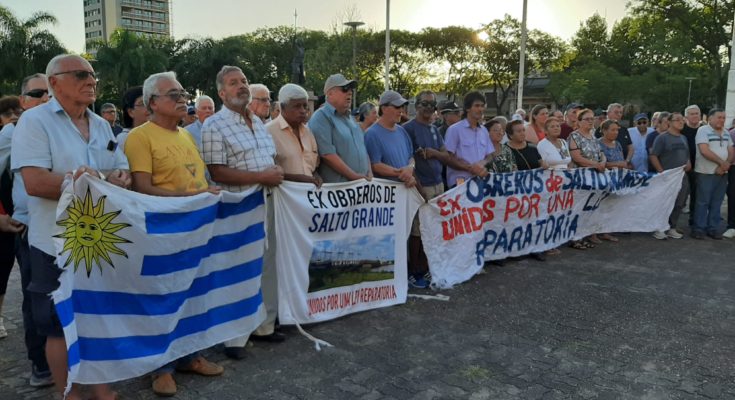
(640, 319)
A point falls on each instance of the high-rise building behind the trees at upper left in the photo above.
(145, 17)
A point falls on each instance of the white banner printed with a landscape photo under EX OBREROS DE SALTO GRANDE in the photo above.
(342, 247)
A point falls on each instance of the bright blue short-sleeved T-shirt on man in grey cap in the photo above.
(390, 147)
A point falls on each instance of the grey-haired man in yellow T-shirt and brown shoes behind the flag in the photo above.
(165, 161)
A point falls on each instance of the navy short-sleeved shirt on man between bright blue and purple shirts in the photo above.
(423, 136)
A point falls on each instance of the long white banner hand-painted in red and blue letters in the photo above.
(512, 214)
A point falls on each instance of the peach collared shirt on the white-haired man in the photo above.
(294, 156)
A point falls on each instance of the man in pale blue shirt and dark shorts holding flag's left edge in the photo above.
(50, 141)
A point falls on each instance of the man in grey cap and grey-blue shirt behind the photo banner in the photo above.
(339, 139)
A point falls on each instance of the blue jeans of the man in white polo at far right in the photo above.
(710, 195)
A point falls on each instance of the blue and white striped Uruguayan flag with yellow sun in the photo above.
(147, 279)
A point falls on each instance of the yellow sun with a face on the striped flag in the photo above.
(90, 233)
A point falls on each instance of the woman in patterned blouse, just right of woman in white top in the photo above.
(585, 150)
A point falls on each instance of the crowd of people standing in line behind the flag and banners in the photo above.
(167, 146)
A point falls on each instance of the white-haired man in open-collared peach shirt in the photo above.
(296, 150)
